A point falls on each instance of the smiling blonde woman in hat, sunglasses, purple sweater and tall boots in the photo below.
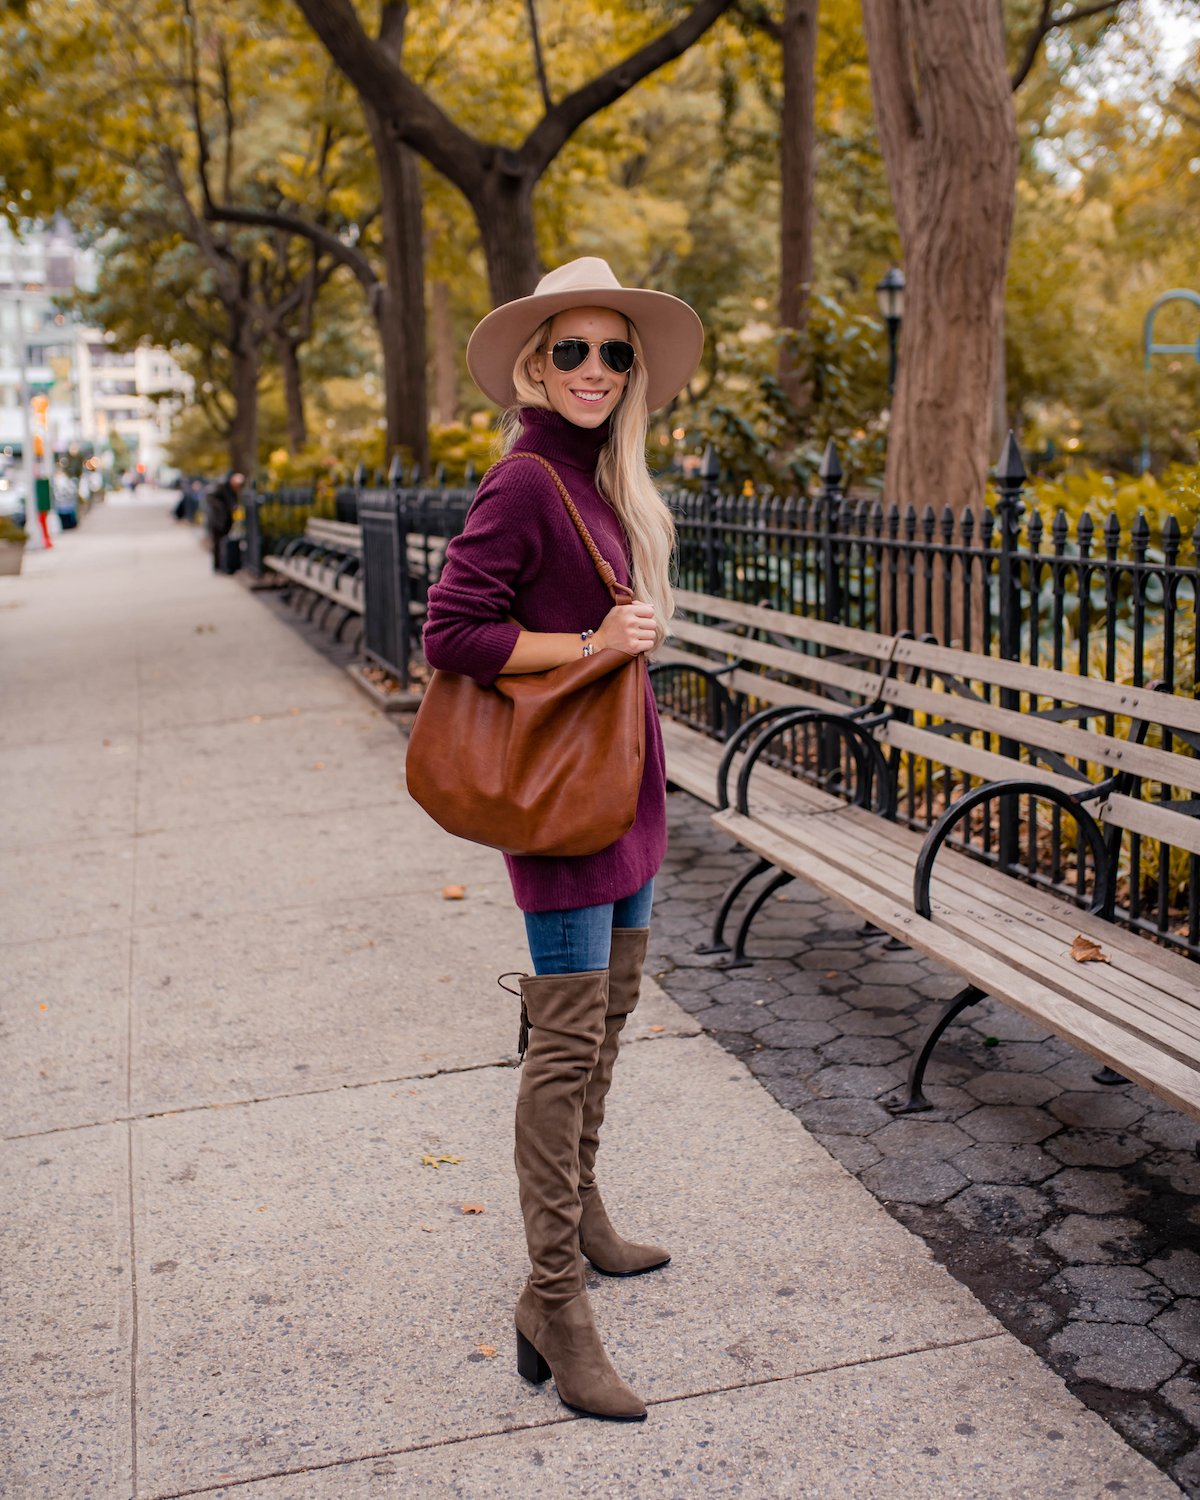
(578, 367)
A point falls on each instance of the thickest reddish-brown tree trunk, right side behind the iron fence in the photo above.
(949, 131)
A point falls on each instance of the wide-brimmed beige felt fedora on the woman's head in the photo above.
(671, 334)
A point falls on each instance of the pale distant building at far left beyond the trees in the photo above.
(94, 392)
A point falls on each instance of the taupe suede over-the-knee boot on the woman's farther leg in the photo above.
(599, 1241)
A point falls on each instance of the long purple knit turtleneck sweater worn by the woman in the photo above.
(521, 556)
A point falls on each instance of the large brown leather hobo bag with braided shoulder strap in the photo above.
(539, 763)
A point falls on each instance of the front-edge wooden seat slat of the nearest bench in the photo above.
(1106, 1042)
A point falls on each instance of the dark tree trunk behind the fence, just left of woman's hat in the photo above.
(400, 305)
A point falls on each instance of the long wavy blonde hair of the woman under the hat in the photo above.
(622, 475)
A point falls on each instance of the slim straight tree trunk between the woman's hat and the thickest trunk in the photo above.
(797, 167)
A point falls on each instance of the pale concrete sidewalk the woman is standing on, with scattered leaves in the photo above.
(239, 1013)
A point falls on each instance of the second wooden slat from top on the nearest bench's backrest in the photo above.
(1118, 755)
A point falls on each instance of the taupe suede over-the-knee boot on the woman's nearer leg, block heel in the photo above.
(556, 1330)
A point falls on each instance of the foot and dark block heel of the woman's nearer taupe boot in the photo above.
(568, 1346)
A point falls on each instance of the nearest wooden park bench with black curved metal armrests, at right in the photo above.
(977, 892)
